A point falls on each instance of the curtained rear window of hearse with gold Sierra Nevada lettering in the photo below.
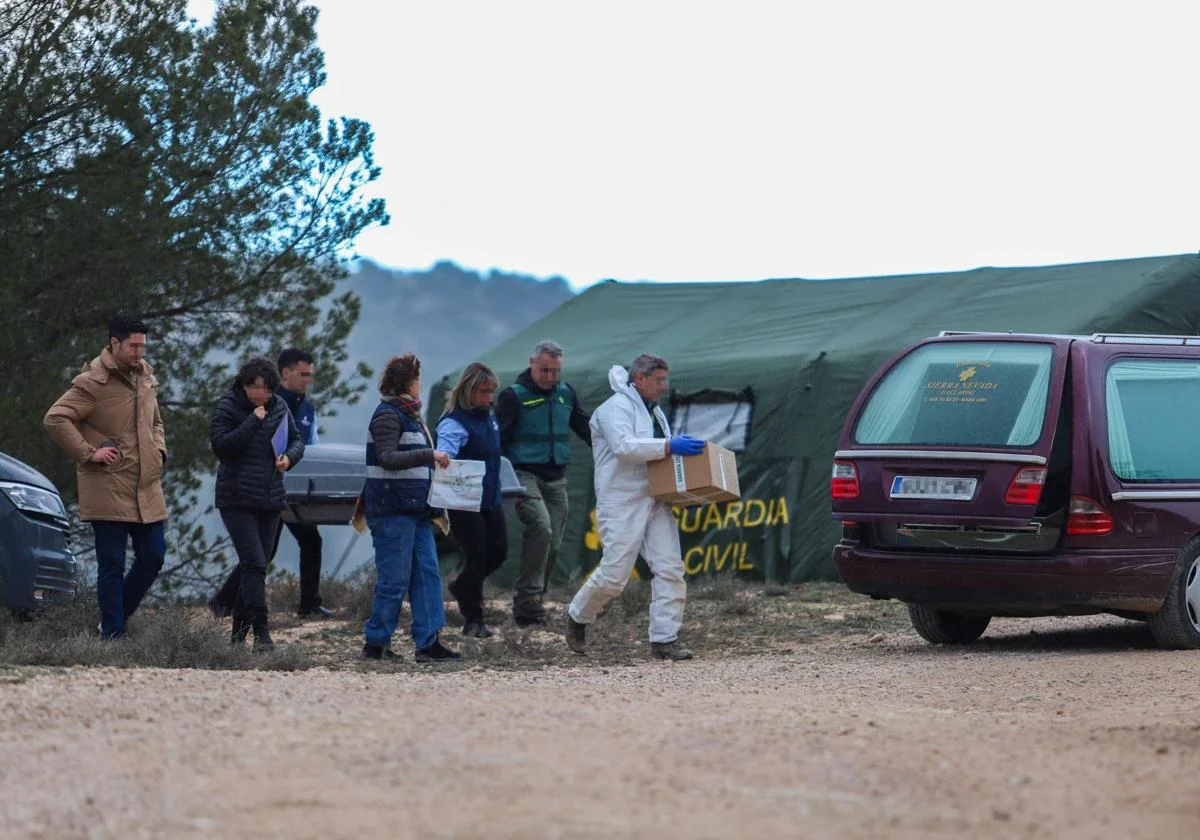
(955, 394)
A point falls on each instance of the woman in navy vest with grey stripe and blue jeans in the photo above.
(400, 464)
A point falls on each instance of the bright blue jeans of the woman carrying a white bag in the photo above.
(406, 561)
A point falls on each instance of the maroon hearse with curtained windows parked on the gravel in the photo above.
(1000, 475)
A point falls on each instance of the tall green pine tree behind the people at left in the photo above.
(182, 175)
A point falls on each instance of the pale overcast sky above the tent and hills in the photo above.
(740, 141)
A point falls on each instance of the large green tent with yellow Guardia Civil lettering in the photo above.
(806, 349)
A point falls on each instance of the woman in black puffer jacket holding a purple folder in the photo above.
(255, 449)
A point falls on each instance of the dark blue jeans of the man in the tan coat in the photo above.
(121, 595)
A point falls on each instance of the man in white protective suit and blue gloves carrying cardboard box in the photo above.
(628, 431)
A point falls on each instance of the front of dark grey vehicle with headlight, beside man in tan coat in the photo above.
(37, 562)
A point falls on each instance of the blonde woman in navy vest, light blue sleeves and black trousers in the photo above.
(469, 430)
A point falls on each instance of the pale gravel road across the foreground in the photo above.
(1079, 730)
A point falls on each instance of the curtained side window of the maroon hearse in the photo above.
(1153, 409)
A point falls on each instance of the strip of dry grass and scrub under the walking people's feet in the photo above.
(725, 617)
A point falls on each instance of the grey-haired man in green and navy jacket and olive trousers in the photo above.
(537, 416)
